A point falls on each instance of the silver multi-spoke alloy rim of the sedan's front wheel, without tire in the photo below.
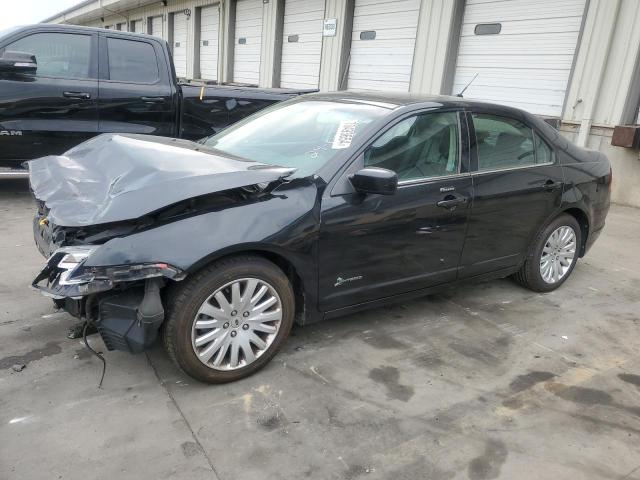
(236, 324)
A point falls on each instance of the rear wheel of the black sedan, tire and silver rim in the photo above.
(554, 256)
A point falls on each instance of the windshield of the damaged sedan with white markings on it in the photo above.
(304, 135)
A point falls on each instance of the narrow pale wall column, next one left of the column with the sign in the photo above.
(271, 53)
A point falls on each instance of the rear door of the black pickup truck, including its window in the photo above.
(136, 87)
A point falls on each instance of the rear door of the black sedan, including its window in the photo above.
(510, 203)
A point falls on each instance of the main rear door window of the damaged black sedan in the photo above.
(503, 142)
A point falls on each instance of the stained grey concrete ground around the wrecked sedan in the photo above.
(482, 382)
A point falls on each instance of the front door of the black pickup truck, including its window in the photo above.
(55, 108)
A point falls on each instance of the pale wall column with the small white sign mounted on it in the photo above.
(334, 62)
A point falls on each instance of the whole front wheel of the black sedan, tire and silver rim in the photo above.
(229, 320)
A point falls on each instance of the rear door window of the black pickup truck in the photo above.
(132, 61)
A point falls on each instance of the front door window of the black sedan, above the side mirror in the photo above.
(422, 146)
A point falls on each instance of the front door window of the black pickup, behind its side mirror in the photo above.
(59, 55)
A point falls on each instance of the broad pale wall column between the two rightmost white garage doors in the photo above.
(434, 58)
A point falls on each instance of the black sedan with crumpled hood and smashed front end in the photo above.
(313, 208)
